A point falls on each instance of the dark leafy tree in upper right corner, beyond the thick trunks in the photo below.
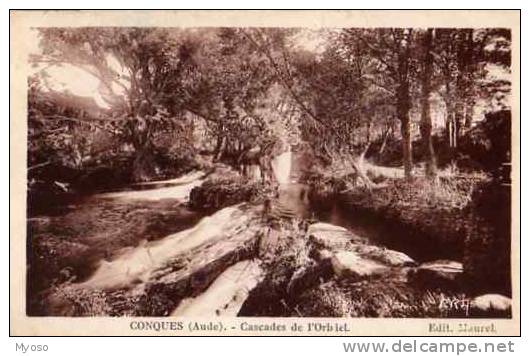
(461, 58)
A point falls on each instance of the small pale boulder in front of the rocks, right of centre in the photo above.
(348, 263)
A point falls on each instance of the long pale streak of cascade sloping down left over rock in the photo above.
(222, 233)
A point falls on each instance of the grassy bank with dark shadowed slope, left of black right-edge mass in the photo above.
(427, 219)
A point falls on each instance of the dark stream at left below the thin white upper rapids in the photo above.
(89, 234)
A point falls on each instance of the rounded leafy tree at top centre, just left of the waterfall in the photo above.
(235, 82)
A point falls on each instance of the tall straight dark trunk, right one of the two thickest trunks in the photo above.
(426, 122)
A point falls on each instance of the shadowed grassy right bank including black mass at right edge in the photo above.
(450, 218)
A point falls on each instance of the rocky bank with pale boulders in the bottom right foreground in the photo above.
(327, 271)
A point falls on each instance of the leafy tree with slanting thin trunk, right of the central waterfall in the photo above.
(339, 105)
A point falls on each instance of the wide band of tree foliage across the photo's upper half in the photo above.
(242, 89)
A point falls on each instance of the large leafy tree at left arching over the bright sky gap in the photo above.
(145, 76)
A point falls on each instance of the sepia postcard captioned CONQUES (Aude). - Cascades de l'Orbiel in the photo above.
(324, 173)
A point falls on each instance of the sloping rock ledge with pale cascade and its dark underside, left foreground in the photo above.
(183, 265)
